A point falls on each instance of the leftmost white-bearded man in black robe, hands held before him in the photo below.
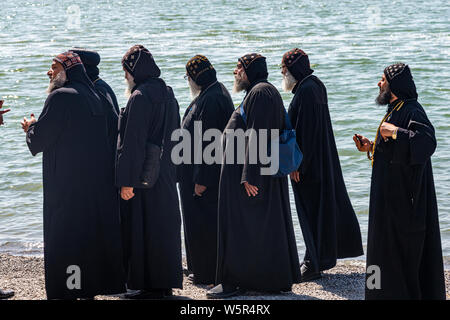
(82, 240)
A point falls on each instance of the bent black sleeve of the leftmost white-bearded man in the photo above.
(51, 123)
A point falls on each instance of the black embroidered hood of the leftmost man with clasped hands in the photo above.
(76, 74)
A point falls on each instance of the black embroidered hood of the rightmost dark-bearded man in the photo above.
(401, 81)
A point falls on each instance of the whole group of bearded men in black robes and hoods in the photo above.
(100, 216)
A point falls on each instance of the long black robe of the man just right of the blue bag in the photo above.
(329, 225)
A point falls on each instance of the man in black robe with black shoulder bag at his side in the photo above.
(151, 215)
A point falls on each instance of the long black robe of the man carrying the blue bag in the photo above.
(257, 248)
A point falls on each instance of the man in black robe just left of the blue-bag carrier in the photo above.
(199, 183)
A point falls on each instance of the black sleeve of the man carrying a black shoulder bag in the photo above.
(131, 151)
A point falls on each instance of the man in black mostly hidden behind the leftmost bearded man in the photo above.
(90, 60)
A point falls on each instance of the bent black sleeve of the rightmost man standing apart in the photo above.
(417, 142)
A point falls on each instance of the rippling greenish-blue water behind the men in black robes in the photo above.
(348, 42)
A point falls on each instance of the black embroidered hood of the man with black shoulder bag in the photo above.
(139, 62)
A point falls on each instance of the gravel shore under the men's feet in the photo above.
(25, 275)
